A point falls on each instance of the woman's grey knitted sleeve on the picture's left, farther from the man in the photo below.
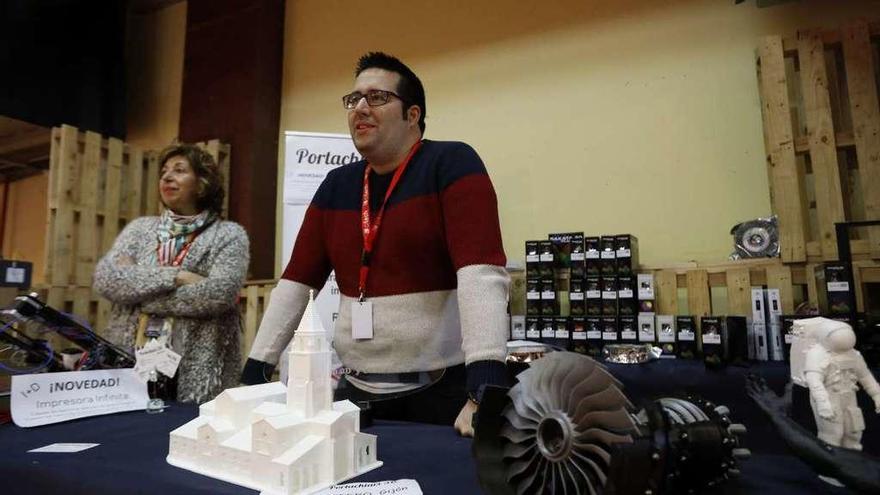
(122, 281)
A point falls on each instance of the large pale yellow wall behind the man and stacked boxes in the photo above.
(636, 116)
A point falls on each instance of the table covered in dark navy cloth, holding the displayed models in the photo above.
(133, 446)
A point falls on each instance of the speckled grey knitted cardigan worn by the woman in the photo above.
(207, 324)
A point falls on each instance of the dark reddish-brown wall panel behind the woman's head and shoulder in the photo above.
(232, 91)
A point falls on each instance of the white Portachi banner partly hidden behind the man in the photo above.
(308, 158)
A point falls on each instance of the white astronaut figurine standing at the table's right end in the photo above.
(833, 370)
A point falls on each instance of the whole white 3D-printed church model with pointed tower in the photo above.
(277, 439)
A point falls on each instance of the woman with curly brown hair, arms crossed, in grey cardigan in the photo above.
(181, 272)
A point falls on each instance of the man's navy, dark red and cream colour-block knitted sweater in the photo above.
(437, 280)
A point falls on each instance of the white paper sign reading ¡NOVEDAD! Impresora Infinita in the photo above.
(47, 398)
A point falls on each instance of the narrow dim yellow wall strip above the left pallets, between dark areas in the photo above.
(155, 74)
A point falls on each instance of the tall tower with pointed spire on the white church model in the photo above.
(308, 384)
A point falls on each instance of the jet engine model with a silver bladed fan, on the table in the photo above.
(566, 428)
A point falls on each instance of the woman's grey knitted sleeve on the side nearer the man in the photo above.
(218, 292)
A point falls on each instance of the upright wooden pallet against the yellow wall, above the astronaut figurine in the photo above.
(821, 127)
